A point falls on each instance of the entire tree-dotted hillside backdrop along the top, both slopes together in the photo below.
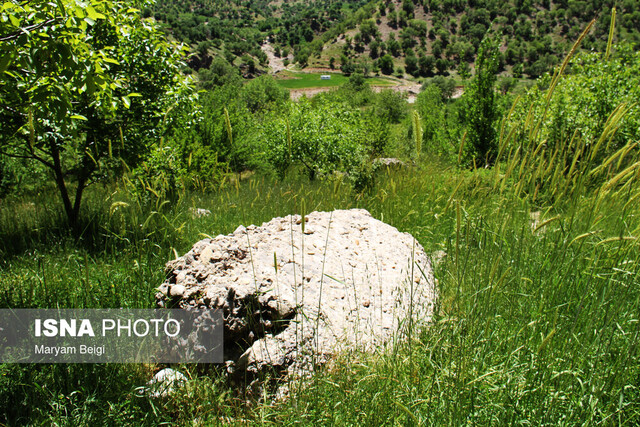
(421, 37)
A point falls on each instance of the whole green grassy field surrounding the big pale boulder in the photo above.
(537, 319)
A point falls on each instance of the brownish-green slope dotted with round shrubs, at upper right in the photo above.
(425, 37)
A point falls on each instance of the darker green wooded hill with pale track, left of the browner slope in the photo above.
(237, 28)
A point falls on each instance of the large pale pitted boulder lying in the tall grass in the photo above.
(294, 294)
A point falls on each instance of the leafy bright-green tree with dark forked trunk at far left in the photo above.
(82, 85)
